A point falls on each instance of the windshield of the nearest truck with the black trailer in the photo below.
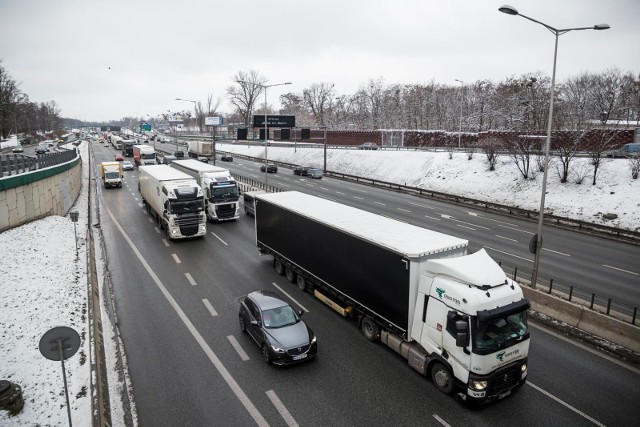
(495, 333)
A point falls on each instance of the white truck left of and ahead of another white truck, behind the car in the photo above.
(175, 199)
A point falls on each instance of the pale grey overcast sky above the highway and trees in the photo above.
(104, 60)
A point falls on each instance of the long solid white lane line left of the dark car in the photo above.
(231, 382)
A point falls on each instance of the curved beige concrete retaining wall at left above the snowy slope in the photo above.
(34, 195)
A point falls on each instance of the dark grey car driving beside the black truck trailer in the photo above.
(277, 328)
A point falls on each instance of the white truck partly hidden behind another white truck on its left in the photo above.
(220, 188)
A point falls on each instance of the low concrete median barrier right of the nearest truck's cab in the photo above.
(600, 325)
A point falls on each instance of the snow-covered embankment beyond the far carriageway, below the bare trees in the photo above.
(615, 191)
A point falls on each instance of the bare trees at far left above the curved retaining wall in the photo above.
(19, 115)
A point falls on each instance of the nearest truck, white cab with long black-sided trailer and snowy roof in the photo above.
(455, 317)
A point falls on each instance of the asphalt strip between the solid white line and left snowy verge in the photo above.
(165, 364)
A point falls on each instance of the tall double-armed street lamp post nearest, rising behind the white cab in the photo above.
(536, 245)
